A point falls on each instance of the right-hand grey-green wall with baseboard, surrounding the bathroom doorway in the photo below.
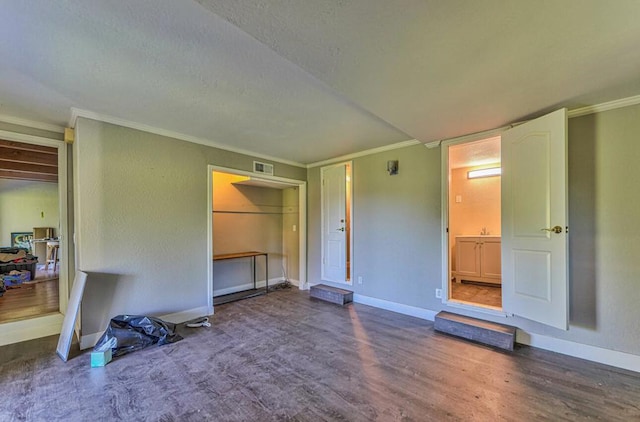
(397, 231)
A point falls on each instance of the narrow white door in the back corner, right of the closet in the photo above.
(334, 223)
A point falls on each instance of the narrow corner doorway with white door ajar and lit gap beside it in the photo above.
(337, 222)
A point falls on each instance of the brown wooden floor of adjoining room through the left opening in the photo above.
(34, 298)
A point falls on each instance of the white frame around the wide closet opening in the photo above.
(302, 223)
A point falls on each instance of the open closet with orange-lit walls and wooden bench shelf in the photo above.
(257, 234)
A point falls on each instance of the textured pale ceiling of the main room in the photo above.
(307, 81)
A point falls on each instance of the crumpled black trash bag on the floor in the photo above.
(128, 333)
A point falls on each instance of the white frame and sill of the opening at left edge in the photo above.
(46, 325)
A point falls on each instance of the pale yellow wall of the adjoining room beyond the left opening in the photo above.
(25, 205)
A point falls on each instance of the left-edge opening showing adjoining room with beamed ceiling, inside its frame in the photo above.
(29, 229)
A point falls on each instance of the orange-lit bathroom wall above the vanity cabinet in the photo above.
(479, 207)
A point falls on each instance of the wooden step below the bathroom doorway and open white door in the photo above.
(485, 332)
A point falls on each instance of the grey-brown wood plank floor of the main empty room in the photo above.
(285, 357)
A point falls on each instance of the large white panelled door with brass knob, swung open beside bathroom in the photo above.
(534, 220)
